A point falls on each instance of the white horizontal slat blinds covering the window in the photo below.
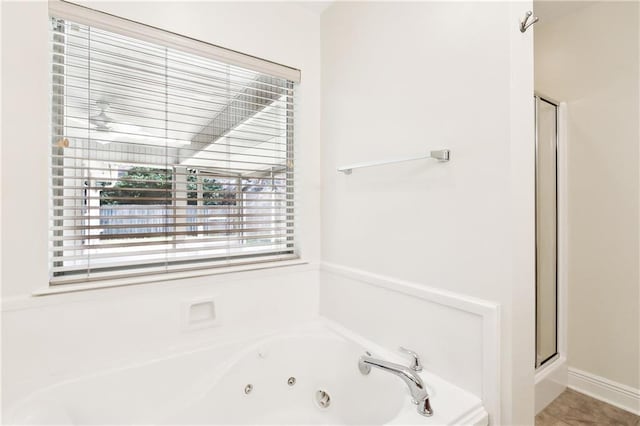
(164, 160)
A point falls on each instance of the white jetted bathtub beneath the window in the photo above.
(305, 375)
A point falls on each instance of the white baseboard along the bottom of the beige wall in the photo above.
(614, 393)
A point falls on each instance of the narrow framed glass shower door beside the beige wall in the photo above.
(546, 230)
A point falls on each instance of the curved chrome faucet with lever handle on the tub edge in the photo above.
(409, 375)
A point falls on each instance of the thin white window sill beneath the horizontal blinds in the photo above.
(155, 278)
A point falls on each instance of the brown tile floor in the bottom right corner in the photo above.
(572, 408)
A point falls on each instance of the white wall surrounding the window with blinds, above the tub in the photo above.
(48, 337)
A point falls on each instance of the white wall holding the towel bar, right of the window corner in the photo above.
(399, 79)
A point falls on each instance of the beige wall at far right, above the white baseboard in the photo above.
(589, 59)
